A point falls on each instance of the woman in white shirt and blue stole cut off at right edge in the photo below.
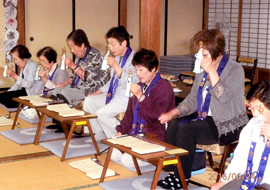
(250, 165)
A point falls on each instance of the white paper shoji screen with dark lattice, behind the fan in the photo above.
(255, 27)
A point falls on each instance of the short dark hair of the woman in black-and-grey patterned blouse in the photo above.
(79, 37)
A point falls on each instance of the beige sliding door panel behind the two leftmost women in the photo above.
(48, 22)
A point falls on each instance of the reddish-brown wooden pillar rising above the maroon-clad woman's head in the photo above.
(150, 25)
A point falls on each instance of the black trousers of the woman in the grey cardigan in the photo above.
(189, 133)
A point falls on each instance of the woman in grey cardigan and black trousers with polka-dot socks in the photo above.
(215, 106)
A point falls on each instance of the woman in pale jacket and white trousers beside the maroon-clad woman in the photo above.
(110, 100)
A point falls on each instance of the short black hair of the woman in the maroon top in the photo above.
(146, 58)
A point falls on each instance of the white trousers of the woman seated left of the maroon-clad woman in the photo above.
(104, 125)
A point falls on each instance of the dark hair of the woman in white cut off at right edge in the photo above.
(260, 91)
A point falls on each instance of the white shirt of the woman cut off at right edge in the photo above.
(239, 161)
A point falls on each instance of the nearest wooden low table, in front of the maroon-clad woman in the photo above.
(160, 159)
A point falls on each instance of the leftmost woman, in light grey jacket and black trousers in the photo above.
(25, 84)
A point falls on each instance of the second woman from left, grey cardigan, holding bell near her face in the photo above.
(52, 74)
